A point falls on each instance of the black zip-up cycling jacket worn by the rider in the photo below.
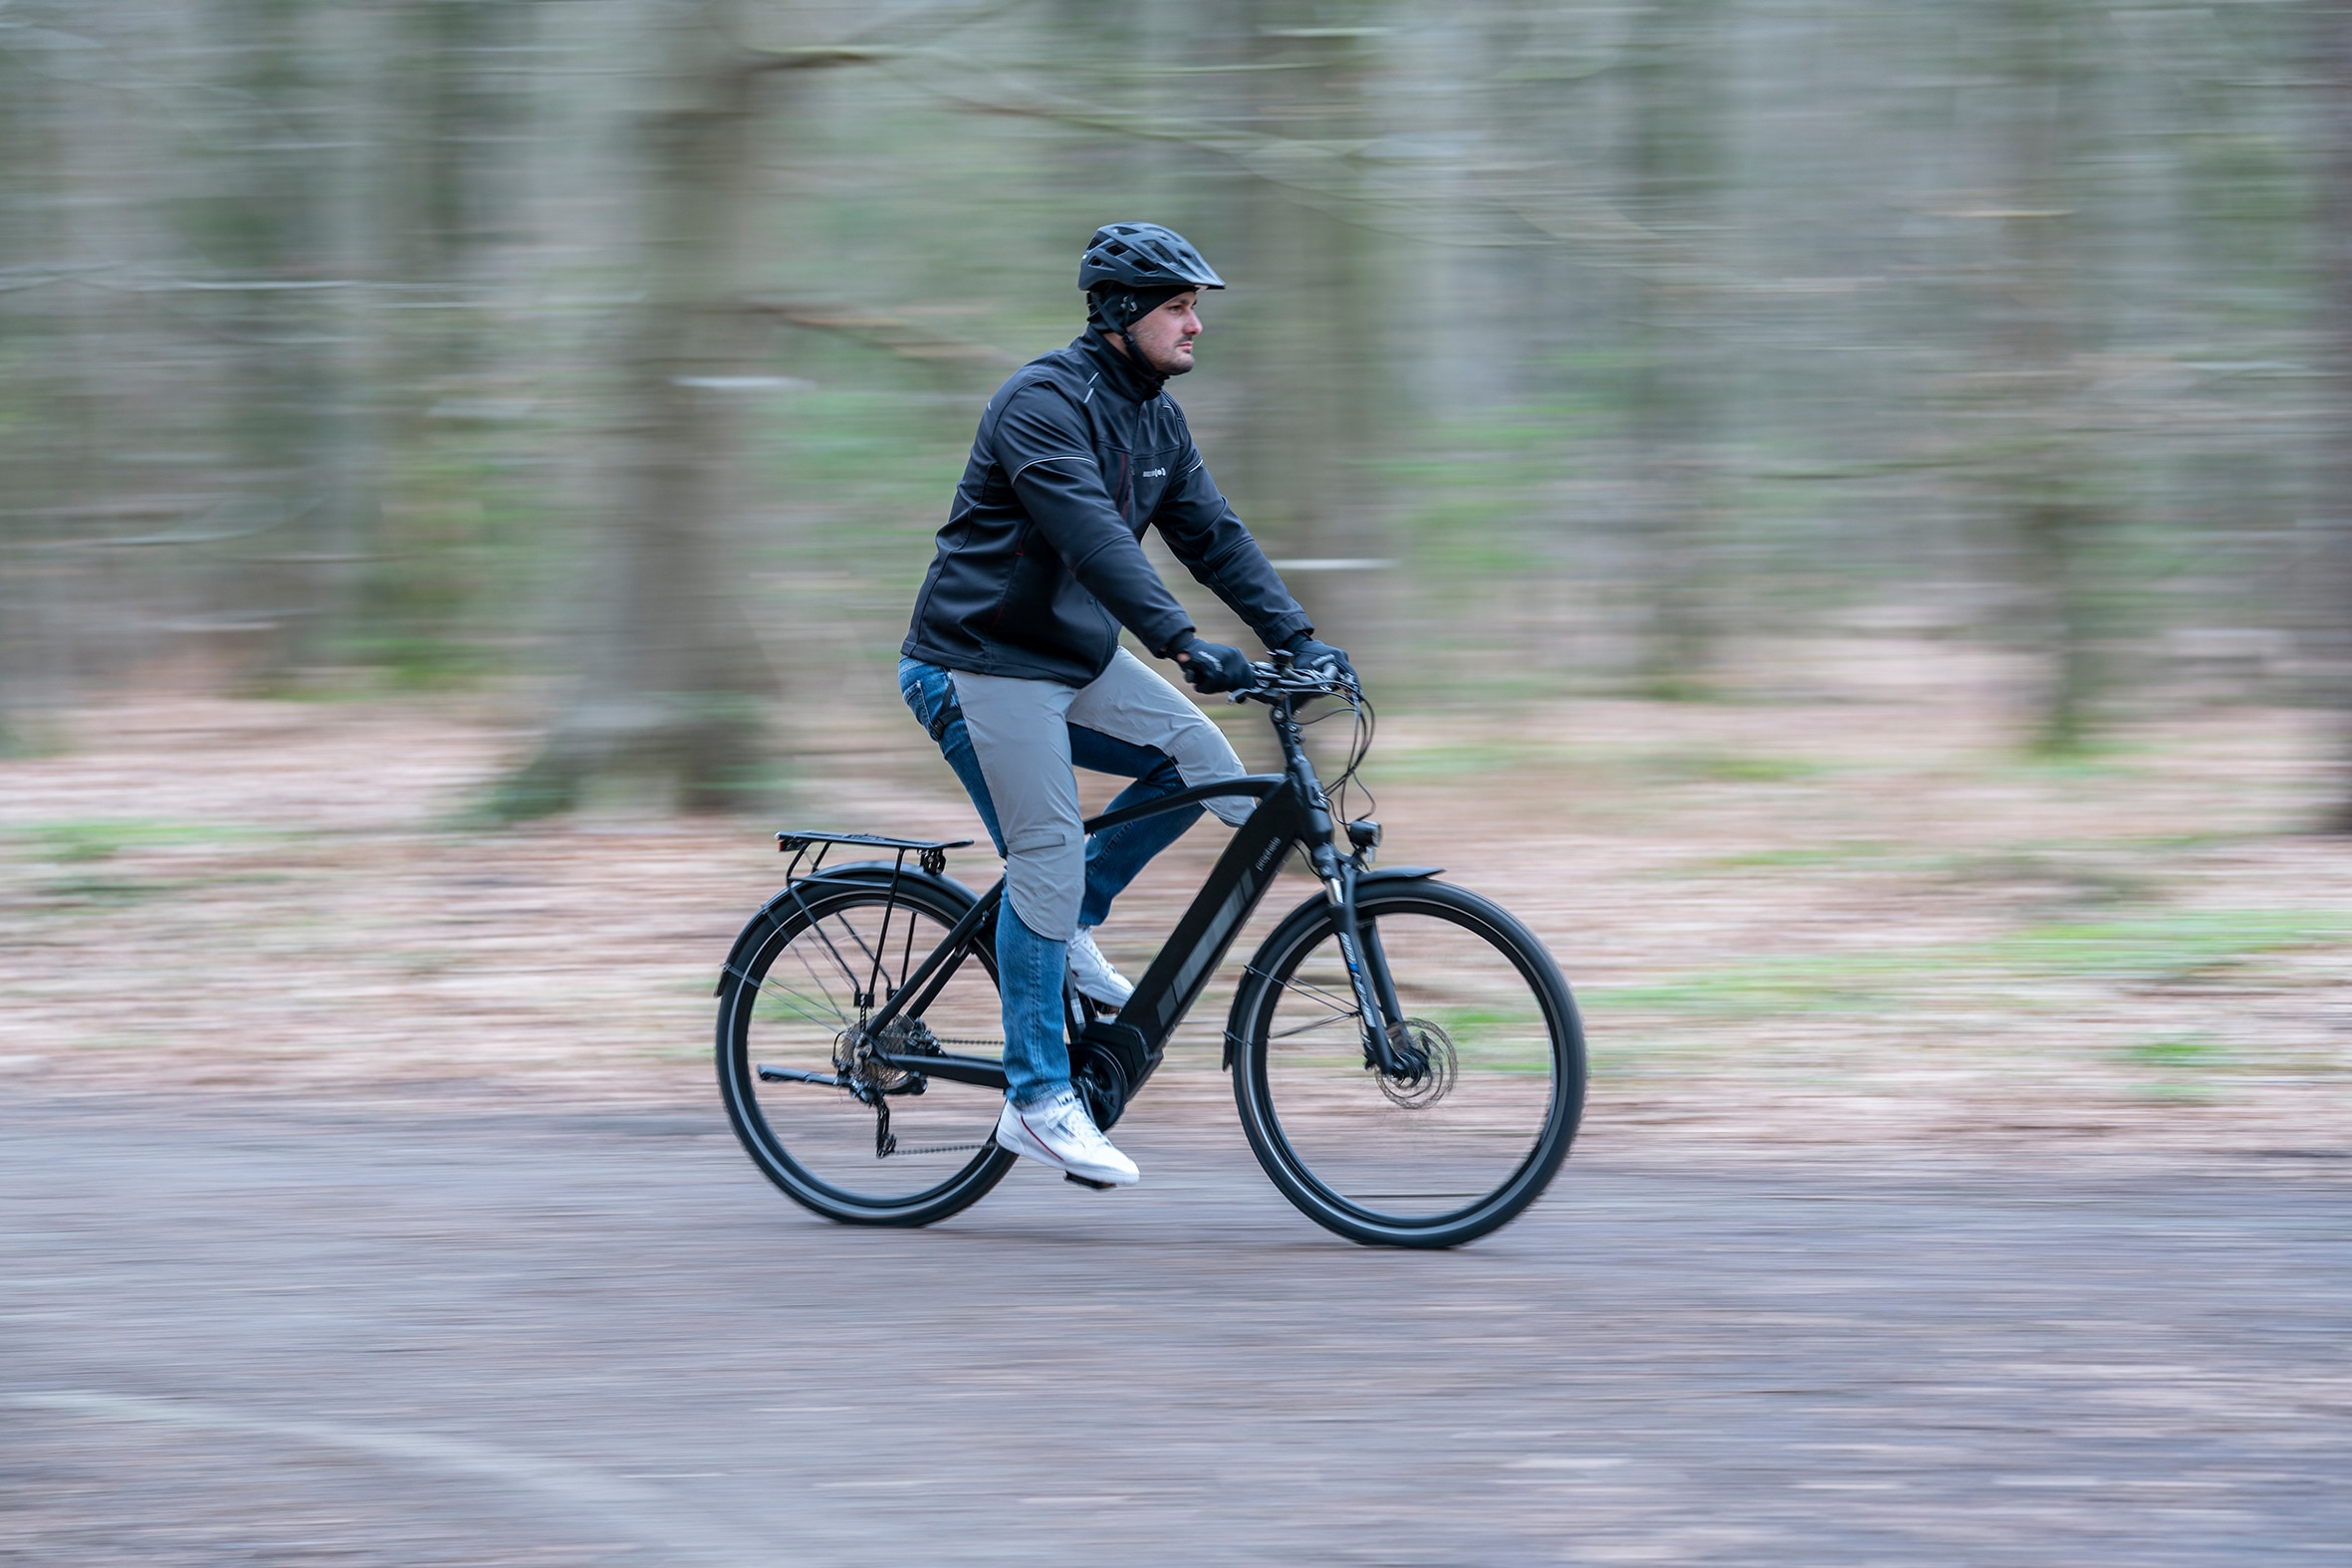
(1043, 554)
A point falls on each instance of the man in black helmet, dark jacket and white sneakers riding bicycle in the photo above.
(1015, 659)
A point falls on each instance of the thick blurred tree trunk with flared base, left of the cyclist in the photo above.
(669, 678)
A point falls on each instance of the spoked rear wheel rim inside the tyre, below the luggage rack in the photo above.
(799, 1012)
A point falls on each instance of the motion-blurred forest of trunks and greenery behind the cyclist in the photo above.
(634, 347)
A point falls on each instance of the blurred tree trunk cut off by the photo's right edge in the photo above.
(2337, 243)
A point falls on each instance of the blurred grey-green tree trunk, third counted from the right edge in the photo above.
(1673, 170)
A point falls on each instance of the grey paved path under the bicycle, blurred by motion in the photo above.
(288, 1334)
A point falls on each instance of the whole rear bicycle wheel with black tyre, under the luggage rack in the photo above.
(787, 1000)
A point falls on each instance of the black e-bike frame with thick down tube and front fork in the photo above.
(1292, 815)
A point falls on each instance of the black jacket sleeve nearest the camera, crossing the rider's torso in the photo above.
(1043, 448)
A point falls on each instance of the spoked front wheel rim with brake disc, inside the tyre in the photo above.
(1415, 1158)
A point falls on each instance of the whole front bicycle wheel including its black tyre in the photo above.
(1410, 1165)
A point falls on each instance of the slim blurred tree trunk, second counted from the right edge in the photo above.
(2050, 476)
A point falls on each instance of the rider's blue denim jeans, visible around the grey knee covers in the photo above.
(1031, 965)
